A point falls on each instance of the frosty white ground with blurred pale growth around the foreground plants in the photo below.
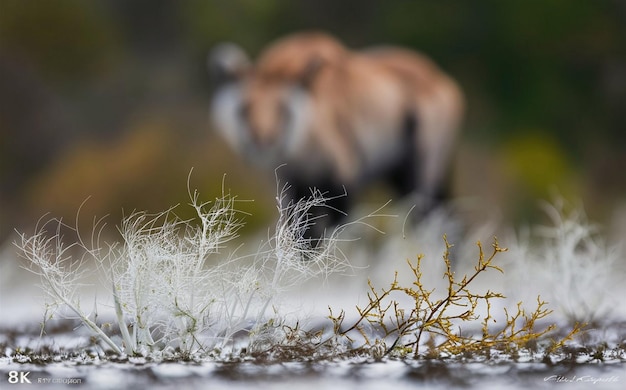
(567, 262)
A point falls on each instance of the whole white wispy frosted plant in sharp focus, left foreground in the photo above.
(169, 288)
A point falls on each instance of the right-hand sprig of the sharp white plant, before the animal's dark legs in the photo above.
(288, 258)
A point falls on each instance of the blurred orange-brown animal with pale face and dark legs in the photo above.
(336, 120)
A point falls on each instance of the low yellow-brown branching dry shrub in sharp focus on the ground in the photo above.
(436, 323)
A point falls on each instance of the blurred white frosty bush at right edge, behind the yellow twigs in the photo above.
(576, 270)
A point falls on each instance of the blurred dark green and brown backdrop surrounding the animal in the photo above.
(108, 100)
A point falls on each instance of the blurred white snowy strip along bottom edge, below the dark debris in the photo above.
(137, 374)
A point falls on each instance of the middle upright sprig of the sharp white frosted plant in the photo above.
(163, 276)
